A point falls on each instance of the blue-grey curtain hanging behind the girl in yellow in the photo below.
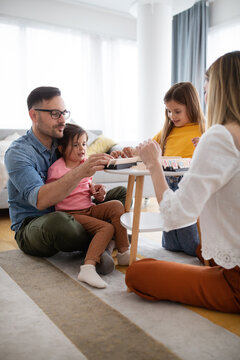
(189, 46)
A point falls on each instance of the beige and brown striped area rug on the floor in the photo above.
(45, 313)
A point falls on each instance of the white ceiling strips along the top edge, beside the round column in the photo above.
(123, 6)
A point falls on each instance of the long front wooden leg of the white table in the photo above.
(136, 218)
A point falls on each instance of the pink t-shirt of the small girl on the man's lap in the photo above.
(80, 197)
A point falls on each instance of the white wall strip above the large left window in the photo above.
(70, 15)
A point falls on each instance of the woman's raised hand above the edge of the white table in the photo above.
(150, 152)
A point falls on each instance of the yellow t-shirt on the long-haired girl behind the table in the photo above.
(179, 141)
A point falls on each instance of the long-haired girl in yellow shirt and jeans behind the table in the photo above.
(184, 121)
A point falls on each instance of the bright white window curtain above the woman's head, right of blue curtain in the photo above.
(223, 39)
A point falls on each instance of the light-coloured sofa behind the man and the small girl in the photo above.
(97, 142)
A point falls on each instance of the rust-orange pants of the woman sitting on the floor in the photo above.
(211, 287)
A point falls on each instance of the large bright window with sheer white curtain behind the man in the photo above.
(97, 76)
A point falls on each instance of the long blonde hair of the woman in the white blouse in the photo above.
(224, 90)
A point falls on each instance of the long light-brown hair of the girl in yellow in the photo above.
(186, 94)
